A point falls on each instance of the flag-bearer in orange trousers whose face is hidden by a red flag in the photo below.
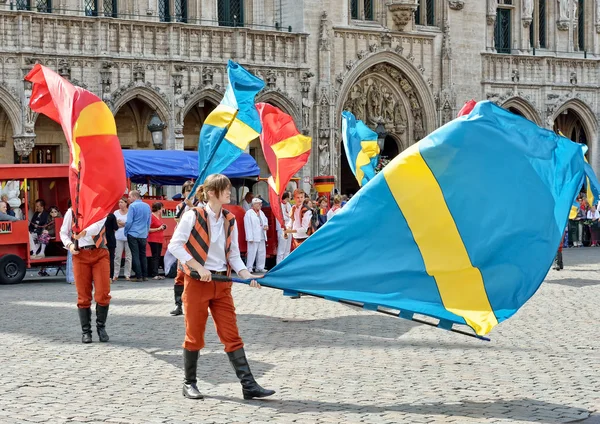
(91, 263)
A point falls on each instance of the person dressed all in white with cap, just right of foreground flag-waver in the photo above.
(256, 226)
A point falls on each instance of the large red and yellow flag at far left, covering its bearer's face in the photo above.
(97, 169)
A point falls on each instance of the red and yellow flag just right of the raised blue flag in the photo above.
(286, 151)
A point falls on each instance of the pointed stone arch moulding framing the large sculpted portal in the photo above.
(398, 68)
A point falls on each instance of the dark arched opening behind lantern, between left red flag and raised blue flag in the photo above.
(132, 124)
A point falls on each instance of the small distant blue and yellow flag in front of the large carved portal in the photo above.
(362, 150)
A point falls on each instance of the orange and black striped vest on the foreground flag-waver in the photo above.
(199, 240)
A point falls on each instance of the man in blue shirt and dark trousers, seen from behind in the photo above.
(136, 231)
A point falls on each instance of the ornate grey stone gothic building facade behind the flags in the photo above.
(403, 66)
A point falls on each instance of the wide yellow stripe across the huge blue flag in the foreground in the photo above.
(434, 230)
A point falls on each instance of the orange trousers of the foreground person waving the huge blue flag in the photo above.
(197, 297)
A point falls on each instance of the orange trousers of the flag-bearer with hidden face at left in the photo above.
(92, 266)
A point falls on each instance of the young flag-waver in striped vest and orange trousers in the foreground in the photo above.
(206, 242)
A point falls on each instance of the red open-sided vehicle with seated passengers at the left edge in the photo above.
(48, 182)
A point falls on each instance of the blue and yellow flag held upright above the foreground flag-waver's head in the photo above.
(229, 129)
